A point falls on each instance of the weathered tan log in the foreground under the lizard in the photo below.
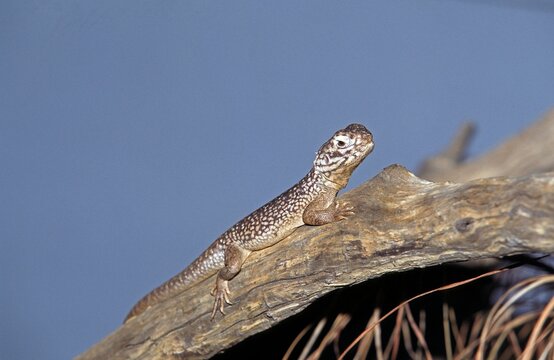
(402, 222)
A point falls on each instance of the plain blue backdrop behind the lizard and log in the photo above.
(133, 133)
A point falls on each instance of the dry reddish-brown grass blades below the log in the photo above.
(501, 332)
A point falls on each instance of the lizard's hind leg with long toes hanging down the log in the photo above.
(234, 258)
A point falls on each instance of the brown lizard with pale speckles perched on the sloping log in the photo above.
(312, 201)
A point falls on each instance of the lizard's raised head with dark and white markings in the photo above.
(342, 153)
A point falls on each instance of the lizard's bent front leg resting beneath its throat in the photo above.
(326, 209)
